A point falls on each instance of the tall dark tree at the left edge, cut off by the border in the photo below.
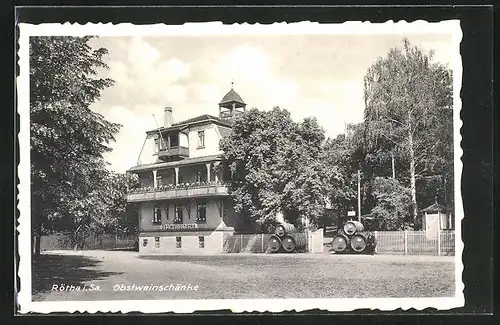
(67, 137)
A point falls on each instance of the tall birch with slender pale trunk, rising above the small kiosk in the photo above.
(408, 106)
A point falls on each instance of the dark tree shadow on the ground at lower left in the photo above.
(50, 269)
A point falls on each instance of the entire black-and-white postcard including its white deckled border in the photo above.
(244, 167)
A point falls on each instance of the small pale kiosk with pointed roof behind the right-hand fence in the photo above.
(434, 219)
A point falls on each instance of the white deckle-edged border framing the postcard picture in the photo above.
(236, 305)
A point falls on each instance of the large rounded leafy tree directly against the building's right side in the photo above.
(274, 166)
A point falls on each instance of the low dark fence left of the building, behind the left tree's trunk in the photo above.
(92, 242)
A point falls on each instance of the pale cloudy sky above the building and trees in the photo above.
(309, 75)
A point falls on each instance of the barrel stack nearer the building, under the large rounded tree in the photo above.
(287, 239)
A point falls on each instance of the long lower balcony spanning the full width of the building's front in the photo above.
(185, 190)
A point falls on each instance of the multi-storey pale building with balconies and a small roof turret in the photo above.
(183, 200)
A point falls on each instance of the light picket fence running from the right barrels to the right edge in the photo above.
(415, 242)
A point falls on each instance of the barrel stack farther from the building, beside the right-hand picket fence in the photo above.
(353, 239)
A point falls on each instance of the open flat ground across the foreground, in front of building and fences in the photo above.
(244, 276)
